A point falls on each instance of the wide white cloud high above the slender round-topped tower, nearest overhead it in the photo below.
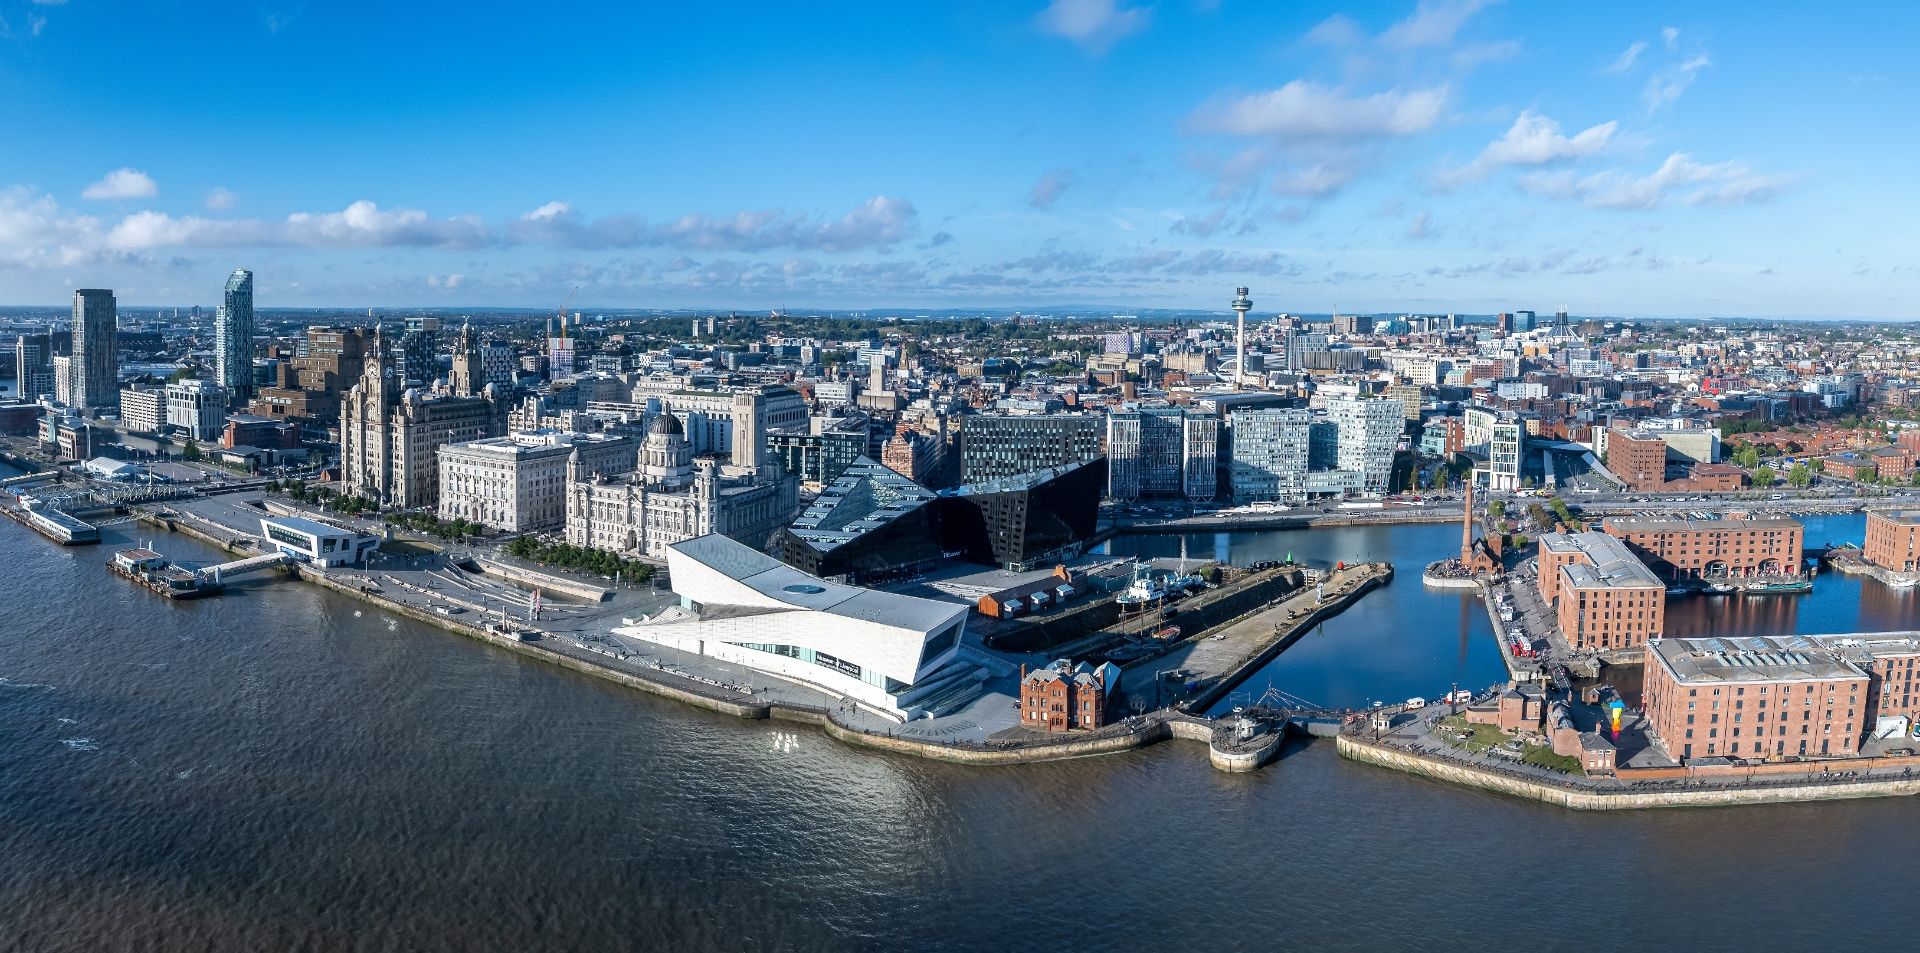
(1308, 110)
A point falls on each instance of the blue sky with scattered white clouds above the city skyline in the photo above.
(1439, 157)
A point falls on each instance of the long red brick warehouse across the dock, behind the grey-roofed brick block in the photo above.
(1700, 549)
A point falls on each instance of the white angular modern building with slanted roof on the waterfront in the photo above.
(882, 650)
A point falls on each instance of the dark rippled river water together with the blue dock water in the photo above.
(287, 770)
